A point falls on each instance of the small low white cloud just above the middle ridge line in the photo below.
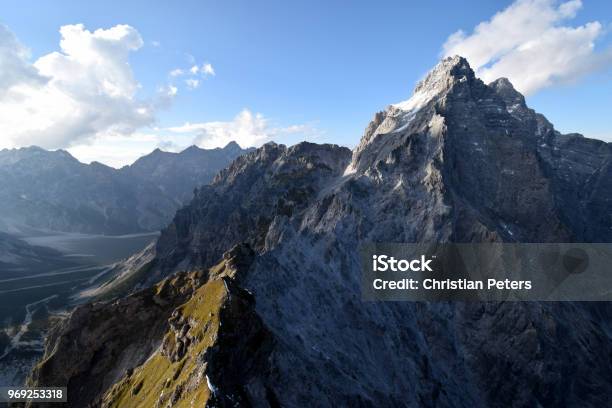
(247, 129)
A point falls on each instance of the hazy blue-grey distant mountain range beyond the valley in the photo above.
(51, 190)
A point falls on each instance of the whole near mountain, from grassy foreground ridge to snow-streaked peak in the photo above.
(261, 305)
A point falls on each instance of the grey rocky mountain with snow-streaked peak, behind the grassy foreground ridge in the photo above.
(460, 161)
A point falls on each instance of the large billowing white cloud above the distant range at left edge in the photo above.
(84, 90)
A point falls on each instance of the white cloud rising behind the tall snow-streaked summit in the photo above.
(533, 44)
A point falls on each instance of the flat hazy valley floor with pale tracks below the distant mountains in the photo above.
(30, 302)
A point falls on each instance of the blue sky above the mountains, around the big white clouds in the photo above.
(317, 70)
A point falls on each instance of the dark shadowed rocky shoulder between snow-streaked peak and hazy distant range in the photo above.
(246, 198)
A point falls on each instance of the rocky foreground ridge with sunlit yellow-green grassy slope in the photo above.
(175, 344)
